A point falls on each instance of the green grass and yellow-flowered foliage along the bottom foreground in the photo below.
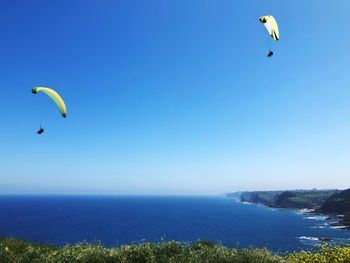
(19, 251)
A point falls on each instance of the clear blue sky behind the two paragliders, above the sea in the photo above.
(174, 97)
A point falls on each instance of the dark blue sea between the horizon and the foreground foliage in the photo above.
(120, 220)
